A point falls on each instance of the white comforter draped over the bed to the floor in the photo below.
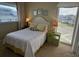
(27, 40)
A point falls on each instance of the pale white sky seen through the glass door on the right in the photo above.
(68, 11)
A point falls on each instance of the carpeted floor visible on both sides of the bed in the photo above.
(46, 50)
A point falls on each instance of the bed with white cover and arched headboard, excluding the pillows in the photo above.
(26, 40)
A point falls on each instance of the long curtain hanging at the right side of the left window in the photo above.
(21, 14)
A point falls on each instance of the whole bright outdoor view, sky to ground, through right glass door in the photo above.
(67, 18)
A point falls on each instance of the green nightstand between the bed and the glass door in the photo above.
(53, 38)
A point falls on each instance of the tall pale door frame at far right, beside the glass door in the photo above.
(75, 36)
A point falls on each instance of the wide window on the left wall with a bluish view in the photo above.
(8, 13)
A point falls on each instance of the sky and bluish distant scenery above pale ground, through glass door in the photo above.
(67, 15)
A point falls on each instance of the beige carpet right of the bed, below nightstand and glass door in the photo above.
(52, 51)
